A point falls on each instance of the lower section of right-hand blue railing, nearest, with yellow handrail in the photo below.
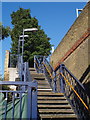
(74, 91)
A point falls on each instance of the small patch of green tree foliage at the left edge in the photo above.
(4, 32)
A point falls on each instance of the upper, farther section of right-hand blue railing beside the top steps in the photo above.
(42, 66)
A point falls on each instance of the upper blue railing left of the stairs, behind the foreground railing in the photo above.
(22, 67)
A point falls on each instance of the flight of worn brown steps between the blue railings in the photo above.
(51, 105)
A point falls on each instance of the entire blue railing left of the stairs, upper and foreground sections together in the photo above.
(23, 99)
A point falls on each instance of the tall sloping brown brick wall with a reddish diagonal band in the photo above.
(73, 49)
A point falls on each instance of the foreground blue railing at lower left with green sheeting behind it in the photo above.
(19, 103)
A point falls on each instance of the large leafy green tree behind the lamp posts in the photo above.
(37, 43)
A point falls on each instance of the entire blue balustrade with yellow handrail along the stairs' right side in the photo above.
(62, 80)
